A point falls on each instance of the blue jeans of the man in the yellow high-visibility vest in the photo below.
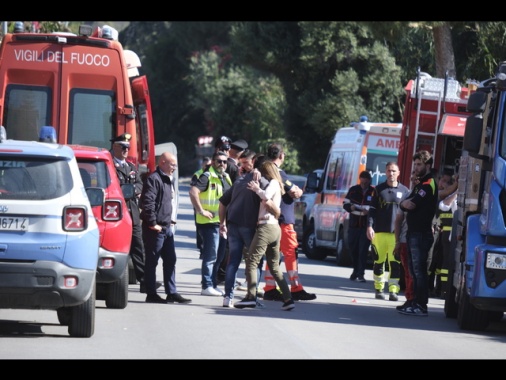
(213, 251)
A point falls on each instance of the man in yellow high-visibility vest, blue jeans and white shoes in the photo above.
(204, 195)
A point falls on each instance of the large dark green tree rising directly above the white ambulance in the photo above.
(331, 72)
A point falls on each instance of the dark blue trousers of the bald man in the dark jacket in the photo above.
(158, 245)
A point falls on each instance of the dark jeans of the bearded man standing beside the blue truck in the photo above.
(419, 244)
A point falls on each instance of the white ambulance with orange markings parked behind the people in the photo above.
(363, 146)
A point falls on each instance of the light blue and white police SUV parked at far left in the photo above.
(49, 238)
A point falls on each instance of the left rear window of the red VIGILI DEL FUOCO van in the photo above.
(27, 108)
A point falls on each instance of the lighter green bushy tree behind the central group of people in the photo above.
(238, 101)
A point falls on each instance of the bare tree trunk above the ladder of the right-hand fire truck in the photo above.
(445, 57)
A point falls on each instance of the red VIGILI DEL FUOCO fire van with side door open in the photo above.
(86, 86)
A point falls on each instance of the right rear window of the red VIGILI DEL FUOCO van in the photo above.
(92, 117)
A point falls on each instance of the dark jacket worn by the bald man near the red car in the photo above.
(156, 199)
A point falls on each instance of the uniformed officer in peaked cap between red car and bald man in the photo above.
(128, 173)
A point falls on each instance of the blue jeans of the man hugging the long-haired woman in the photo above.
(238, 239)
